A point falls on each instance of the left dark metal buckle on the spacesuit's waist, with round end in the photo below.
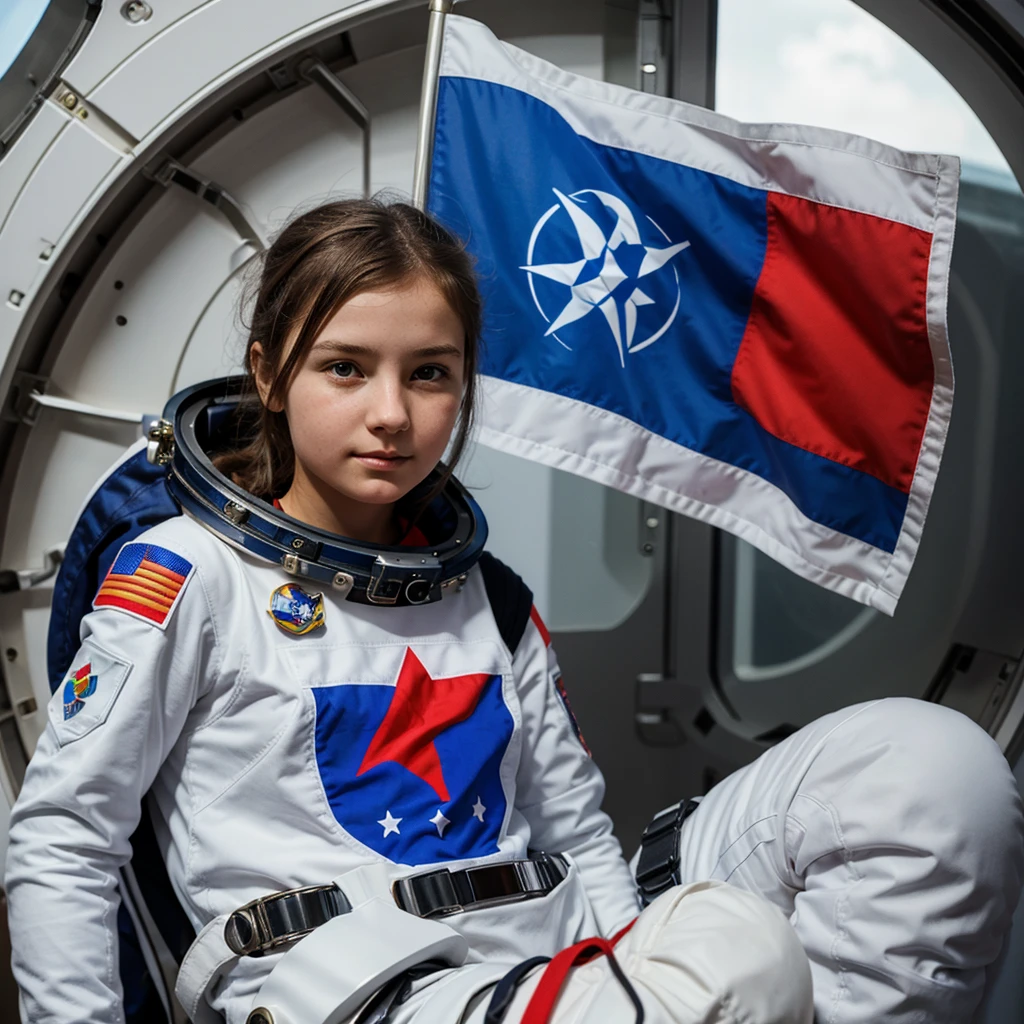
(274, 921)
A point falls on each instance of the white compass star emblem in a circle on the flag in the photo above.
(617, 273)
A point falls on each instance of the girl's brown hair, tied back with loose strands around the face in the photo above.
(318, 263)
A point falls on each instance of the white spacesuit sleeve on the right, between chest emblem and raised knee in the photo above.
(560, 788)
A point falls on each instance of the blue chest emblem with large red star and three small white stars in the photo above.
(413, 771)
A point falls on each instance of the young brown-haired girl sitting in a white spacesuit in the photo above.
(408, 748)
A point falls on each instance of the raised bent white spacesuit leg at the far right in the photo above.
(891, 834)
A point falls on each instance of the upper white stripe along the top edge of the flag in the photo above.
(818, 164)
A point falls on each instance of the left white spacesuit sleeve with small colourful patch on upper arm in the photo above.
(111, 726)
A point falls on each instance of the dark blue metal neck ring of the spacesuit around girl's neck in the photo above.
(203, 420)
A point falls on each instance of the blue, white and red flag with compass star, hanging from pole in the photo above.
(742, 323)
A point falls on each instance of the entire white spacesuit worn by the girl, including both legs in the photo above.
(431, 780)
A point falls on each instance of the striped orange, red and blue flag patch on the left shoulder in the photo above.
(146, 581)
